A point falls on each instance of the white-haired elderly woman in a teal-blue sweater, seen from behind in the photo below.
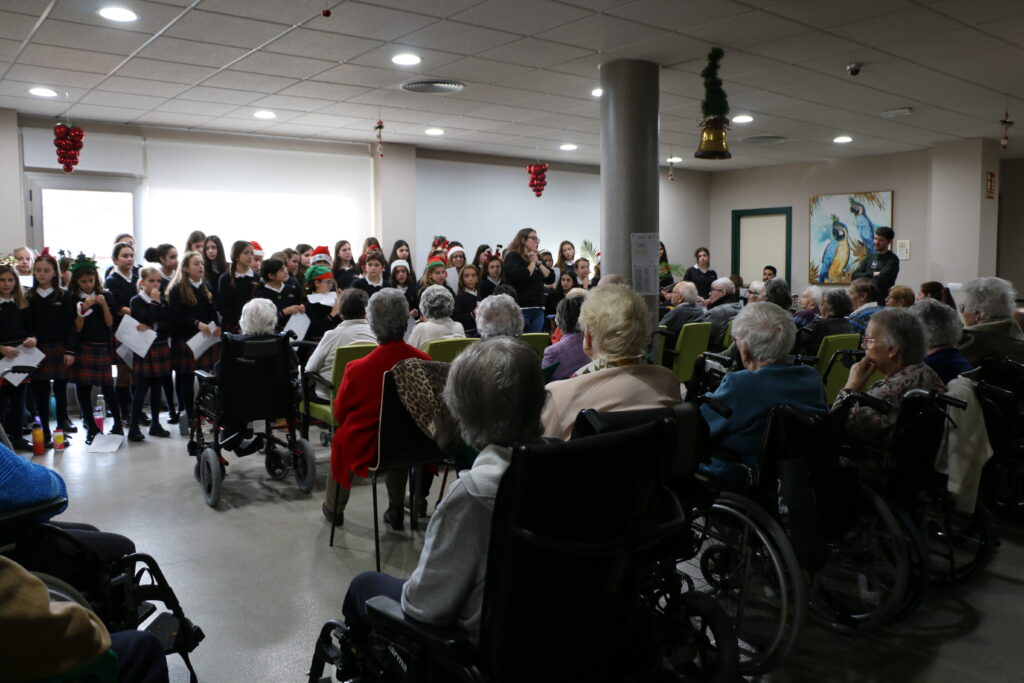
(764, 334)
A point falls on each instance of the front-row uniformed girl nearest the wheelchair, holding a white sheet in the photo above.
(192, 311)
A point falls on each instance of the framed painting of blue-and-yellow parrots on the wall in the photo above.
(842, 233)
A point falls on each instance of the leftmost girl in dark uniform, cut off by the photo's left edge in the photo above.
(14, 332)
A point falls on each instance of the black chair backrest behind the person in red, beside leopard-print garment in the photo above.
(401, 443)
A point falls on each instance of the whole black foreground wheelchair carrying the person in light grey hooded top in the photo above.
(572, 592)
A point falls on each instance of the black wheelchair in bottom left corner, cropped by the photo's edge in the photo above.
(122, 592)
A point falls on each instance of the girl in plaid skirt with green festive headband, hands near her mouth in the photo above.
(92, 344)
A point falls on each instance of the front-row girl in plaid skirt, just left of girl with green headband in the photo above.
(52, 314)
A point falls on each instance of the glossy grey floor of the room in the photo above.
(258, 575)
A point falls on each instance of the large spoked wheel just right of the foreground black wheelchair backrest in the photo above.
(745, 563)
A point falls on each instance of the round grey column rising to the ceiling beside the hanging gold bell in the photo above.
(629, 161)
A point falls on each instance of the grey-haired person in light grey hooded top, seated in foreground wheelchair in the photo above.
(448, 585)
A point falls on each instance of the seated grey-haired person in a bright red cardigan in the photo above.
(358, 407)
